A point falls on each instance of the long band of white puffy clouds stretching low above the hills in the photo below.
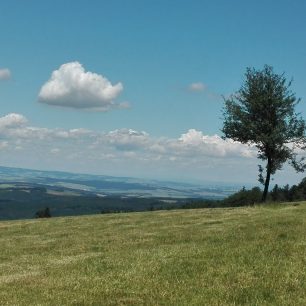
(193, 143)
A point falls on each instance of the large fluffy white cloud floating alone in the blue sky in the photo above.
(71, 86)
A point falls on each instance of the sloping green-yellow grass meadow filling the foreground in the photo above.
(251, 256)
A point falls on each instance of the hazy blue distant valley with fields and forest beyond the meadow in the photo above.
(24, 191)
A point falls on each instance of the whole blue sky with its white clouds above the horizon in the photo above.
(135, 88)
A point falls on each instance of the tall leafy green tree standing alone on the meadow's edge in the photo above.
(262, 113)
